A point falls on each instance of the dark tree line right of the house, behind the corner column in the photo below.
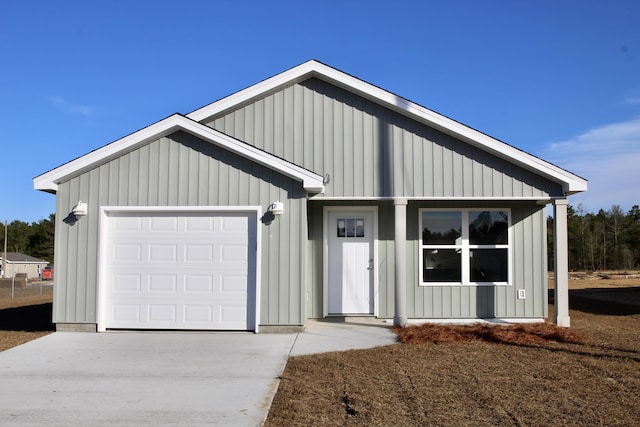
(606, 240)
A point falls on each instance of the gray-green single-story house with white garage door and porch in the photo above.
(309, 194)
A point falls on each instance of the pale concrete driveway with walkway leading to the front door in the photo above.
(160, 378)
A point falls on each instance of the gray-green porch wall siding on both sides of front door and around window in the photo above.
(528, 262)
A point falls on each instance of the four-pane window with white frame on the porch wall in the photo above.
(465, 247)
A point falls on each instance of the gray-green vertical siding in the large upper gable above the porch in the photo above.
(372, 151)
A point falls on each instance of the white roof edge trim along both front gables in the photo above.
(311, 182)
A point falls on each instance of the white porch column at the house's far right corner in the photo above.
(561, 264)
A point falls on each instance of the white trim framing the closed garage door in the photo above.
(102, 247)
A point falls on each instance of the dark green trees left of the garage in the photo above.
(35, 239)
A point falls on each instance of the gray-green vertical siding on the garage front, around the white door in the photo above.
(180, 170)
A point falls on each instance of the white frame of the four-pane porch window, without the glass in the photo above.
(465, 247)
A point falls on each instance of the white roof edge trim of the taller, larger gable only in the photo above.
(570, 182)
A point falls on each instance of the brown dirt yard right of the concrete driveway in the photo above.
(476, 379)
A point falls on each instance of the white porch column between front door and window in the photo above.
(400, 265)
